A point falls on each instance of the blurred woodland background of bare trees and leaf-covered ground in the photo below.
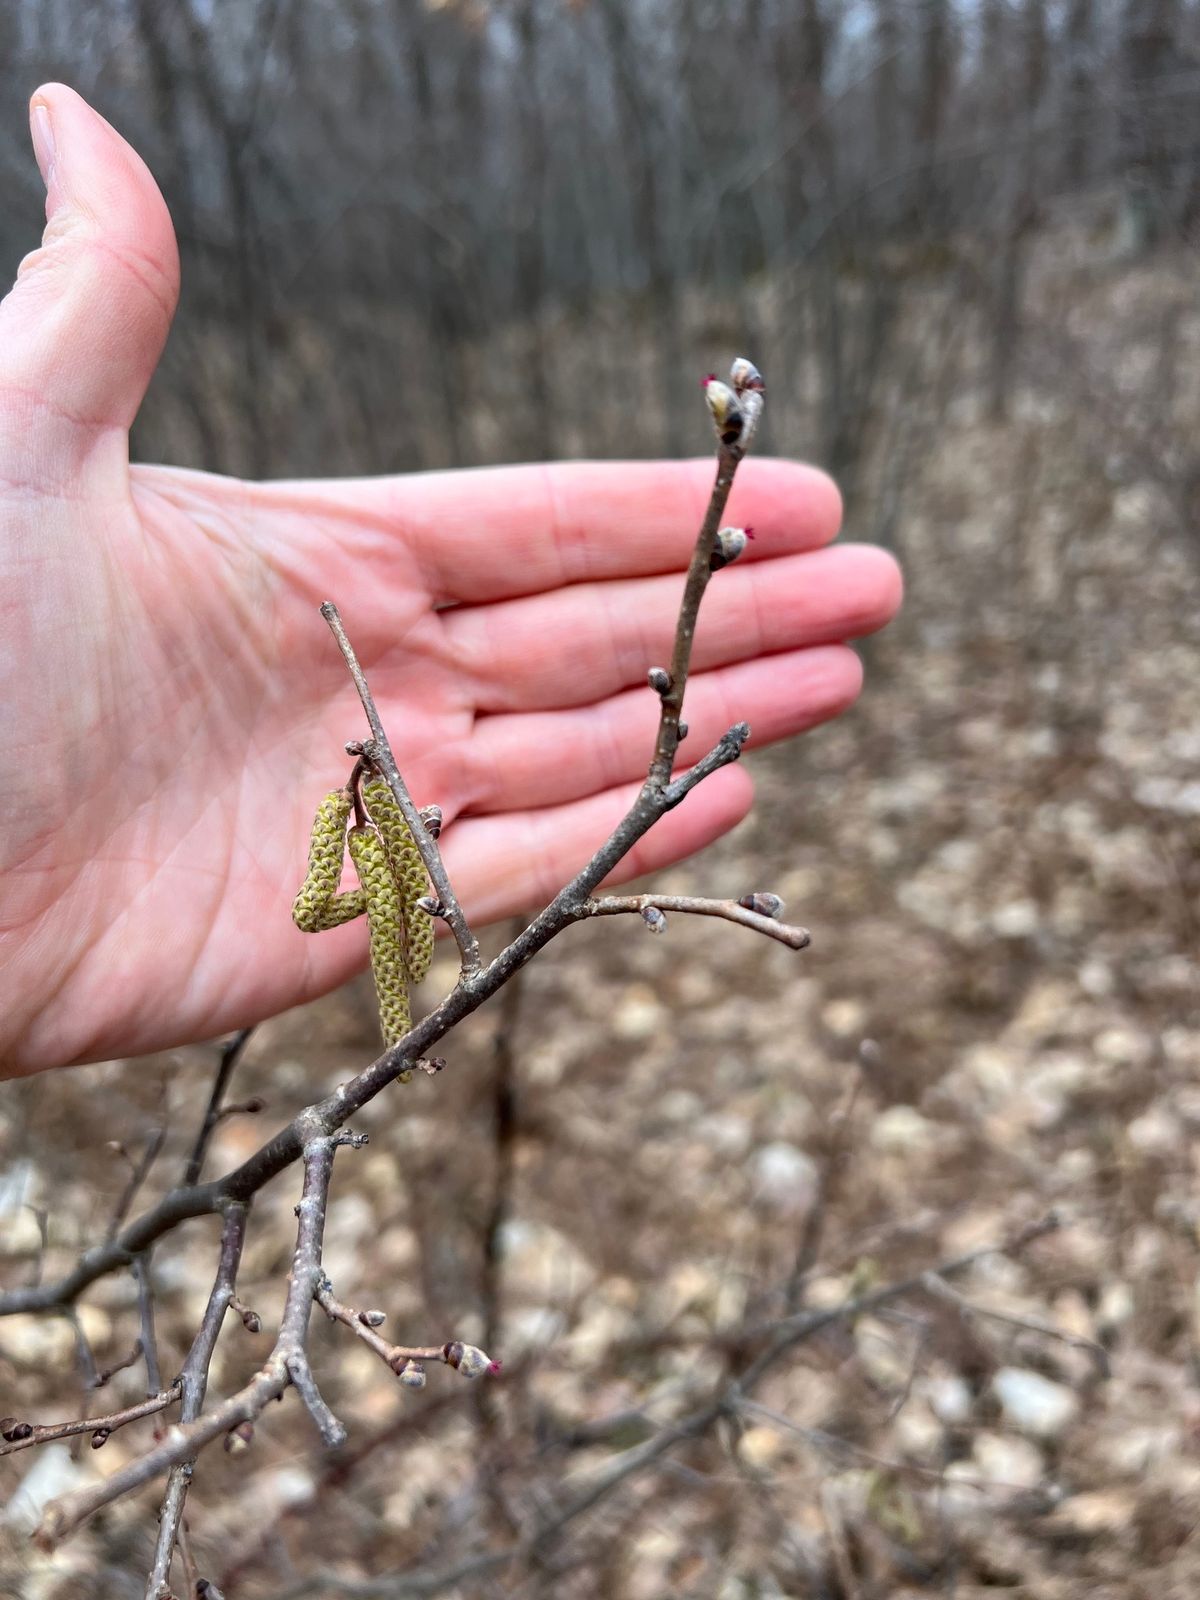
(959, 238)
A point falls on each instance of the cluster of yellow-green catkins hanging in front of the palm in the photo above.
(393, 881)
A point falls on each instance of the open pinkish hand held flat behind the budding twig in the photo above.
(174, 706)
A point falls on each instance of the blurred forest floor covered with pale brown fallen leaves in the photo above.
(999, 857)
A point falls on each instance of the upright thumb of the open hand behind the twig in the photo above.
(86, 324)
